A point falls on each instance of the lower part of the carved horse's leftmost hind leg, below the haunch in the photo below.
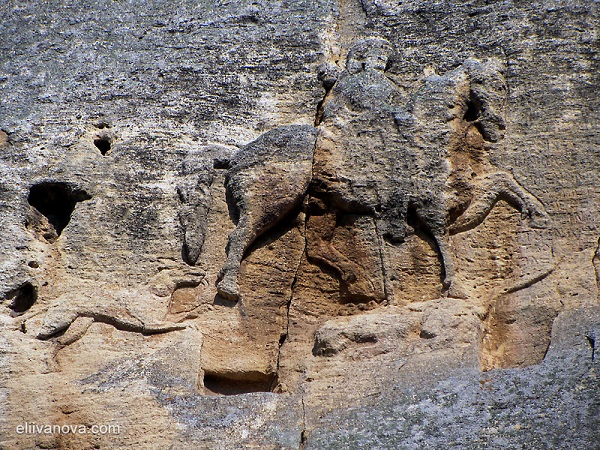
(239, 240)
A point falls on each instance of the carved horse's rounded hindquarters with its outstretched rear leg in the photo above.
(267, 180)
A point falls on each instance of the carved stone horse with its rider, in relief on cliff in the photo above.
(428, 168)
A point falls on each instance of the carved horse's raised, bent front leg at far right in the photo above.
(500, 186)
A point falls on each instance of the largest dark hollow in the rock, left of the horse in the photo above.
(56, 201)
